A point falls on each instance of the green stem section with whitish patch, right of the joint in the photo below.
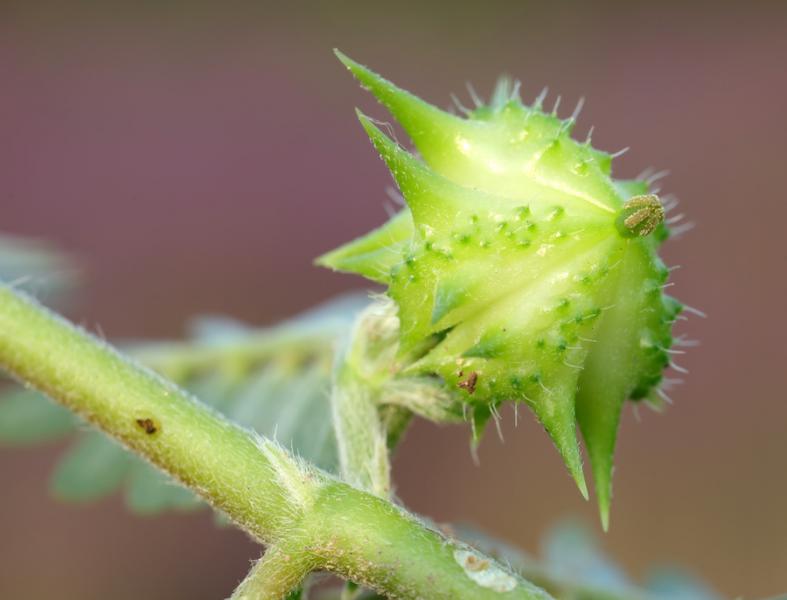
(378, 545)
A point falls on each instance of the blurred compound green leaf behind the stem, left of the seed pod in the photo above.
(274, 381)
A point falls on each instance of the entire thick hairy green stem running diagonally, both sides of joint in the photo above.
(275, 497)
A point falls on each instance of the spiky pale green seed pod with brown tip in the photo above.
(521, 267)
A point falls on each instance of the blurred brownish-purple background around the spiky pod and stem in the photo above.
(198, 156)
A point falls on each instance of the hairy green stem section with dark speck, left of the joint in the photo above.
(147, 413)
